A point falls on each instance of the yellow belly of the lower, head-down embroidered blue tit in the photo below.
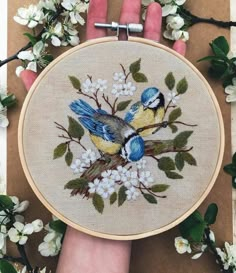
(104, 146)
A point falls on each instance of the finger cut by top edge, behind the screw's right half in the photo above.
(130, 13)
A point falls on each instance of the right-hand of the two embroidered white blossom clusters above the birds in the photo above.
(121, 87)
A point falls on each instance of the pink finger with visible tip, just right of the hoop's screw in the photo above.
(152, 27)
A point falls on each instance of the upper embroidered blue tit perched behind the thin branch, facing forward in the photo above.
(150, 110)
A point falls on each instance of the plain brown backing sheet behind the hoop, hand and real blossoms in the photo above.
(155, 254)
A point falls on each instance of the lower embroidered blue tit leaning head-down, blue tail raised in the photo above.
(110, 134)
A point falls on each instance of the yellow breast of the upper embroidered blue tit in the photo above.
(147, 117)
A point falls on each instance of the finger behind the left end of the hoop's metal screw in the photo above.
(97, 13)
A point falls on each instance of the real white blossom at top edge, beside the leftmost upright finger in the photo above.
(75, 7)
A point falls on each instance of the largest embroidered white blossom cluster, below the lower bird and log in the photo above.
(110, 179)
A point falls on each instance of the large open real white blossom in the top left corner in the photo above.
(31, 16)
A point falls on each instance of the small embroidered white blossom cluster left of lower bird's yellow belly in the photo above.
(81, 164)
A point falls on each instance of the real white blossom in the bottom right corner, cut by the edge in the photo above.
(228, 256)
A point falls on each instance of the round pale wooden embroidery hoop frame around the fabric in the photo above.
(62, 216)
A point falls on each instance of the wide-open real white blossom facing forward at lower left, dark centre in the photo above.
(19, 233)
